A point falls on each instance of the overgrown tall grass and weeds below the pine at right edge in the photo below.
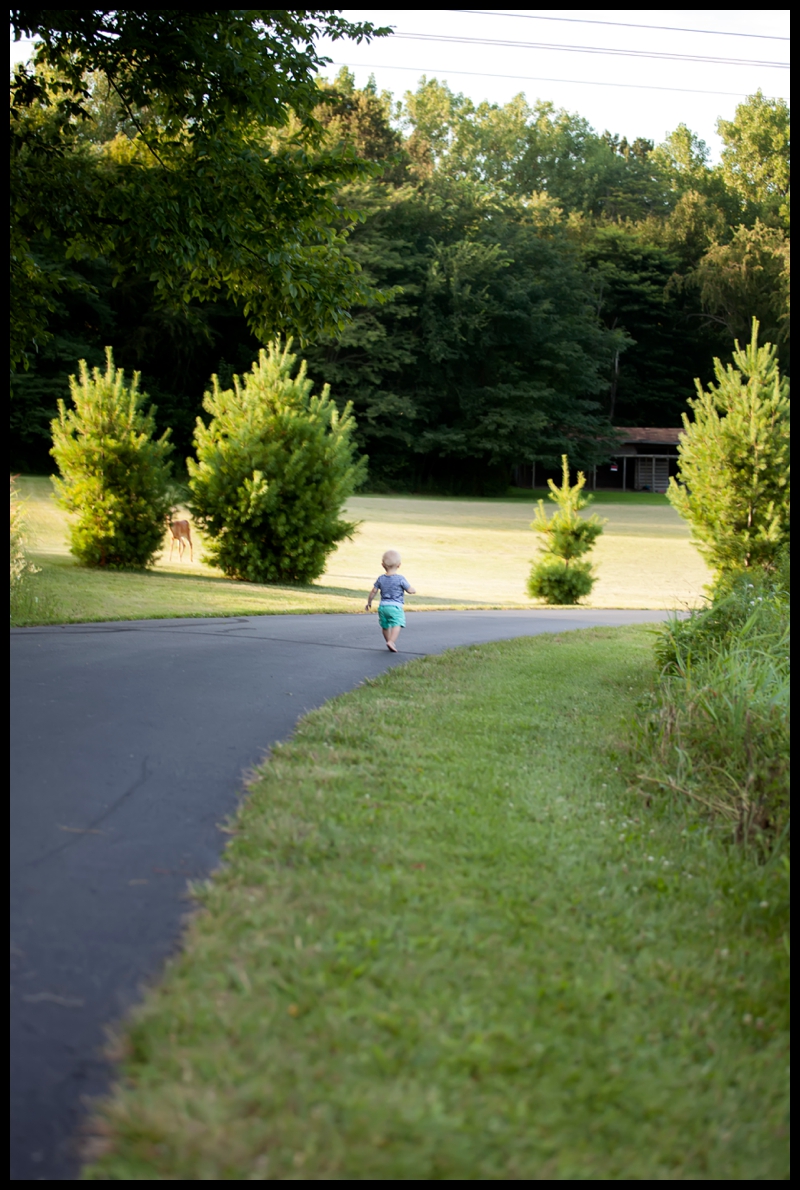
(720, 732)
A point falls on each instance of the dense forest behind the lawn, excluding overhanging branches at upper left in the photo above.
(526, 283)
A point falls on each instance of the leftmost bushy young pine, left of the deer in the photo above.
(114, 475)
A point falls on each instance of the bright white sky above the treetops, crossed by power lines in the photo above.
(579, 82)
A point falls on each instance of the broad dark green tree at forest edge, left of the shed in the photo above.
(490, 355)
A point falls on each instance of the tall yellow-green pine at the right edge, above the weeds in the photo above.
(734, 462)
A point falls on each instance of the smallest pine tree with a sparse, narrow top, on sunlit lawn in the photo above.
(559, 577)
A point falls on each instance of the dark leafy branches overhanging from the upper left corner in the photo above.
(187, 187)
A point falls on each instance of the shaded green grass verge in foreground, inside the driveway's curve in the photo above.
(448, 942)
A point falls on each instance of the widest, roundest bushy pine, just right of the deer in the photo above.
(274, 468)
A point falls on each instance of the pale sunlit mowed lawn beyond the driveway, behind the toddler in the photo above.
(459, 554)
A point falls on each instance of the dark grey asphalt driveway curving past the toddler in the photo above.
(129, 747)
